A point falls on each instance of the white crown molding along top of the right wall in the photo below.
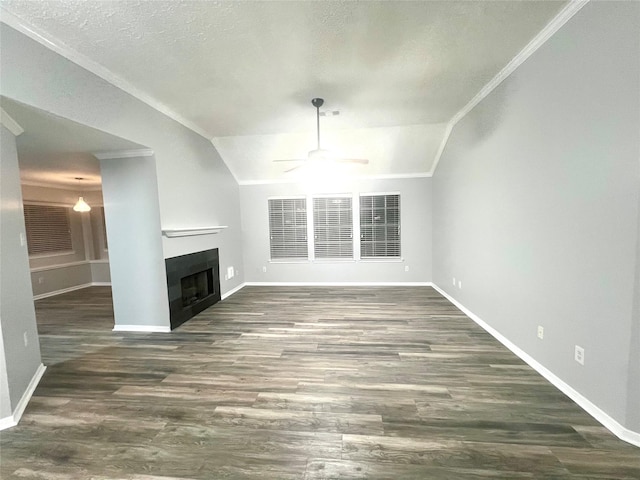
(573, 7)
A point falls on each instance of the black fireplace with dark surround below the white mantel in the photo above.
(193, 283)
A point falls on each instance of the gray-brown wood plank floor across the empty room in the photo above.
(298, 383)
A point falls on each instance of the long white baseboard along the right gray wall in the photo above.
(606, 420)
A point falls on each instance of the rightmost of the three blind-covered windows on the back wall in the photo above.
(380, 226)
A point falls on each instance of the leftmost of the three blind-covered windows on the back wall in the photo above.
(288, 228)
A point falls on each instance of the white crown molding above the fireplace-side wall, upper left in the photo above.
(85, 62)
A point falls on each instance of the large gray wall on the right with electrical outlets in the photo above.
(536, 206)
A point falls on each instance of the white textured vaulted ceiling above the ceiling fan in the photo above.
(243, 73)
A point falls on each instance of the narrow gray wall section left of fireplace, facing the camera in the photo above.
(130, 192)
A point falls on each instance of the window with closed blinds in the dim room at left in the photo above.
(48, 229)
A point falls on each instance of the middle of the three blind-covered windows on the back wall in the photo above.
(333, 227)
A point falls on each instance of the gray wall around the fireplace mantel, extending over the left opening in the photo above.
(195, 187)
